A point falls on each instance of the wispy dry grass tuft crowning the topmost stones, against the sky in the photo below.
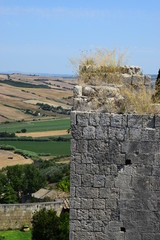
(100, 66)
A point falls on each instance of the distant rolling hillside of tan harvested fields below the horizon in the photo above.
(28, 97)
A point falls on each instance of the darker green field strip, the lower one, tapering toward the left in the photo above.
(52, 147)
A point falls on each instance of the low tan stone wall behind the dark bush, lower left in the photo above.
(14, 216)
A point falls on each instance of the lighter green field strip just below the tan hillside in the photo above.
(36, 126)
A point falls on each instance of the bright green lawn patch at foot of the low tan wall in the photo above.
(16, 235)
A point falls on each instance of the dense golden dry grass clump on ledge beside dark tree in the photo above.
(137, 100)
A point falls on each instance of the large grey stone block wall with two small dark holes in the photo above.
(115, 176)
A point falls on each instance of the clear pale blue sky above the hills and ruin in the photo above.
(41, 35)
